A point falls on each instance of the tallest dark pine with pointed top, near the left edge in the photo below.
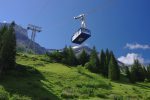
(8, 49)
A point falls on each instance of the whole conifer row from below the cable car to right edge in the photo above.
(104, 63)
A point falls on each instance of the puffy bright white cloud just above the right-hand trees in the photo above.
(130, 57)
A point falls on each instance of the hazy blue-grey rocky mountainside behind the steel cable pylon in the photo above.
(23, 40)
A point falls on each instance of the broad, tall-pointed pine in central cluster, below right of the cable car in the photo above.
(93, 64)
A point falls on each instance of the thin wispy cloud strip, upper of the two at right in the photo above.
(137, 46)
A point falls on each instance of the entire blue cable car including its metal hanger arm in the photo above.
(83, 33)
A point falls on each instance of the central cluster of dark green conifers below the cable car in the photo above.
(105, 63)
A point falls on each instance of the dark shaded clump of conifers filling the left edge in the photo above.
(7, 47)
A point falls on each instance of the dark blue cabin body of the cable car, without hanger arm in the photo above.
(81, 35)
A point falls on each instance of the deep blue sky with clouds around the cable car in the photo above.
(115, 24)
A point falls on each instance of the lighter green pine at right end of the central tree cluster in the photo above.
(114, 71)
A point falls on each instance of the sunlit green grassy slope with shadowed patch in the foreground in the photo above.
(37, 79)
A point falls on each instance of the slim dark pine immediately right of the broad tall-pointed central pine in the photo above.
(103, 68)
